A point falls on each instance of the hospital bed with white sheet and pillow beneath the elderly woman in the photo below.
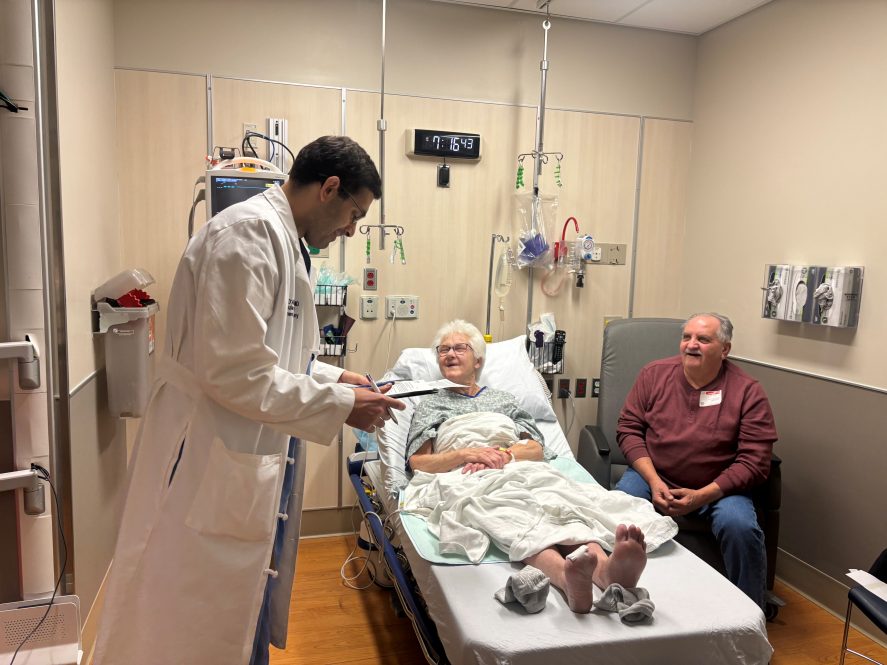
(700, 616)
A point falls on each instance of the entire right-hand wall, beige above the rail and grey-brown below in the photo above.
(787, 166)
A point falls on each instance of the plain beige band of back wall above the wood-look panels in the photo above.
(434, 49)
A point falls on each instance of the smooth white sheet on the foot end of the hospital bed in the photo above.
(700, 616)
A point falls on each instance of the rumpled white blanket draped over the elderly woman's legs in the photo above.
(524, 508)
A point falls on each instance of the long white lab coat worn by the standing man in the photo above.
(193, 555)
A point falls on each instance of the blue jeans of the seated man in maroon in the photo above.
(735, 526)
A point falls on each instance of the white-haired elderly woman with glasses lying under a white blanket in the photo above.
(541, 518)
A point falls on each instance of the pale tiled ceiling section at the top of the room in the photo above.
(692, 17)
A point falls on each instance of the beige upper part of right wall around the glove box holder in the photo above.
(788, 167)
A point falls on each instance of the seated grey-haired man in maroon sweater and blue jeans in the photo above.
(698, 433)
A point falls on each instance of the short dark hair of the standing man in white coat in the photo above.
(340, 156)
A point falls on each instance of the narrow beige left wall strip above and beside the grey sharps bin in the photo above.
(92, 228)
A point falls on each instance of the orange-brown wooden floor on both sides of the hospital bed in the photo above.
(330, 623)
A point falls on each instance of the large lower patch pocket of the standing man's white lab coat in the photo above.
(237, 495)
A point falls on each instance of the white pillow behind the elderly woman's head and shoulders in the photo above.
(506, 367)
